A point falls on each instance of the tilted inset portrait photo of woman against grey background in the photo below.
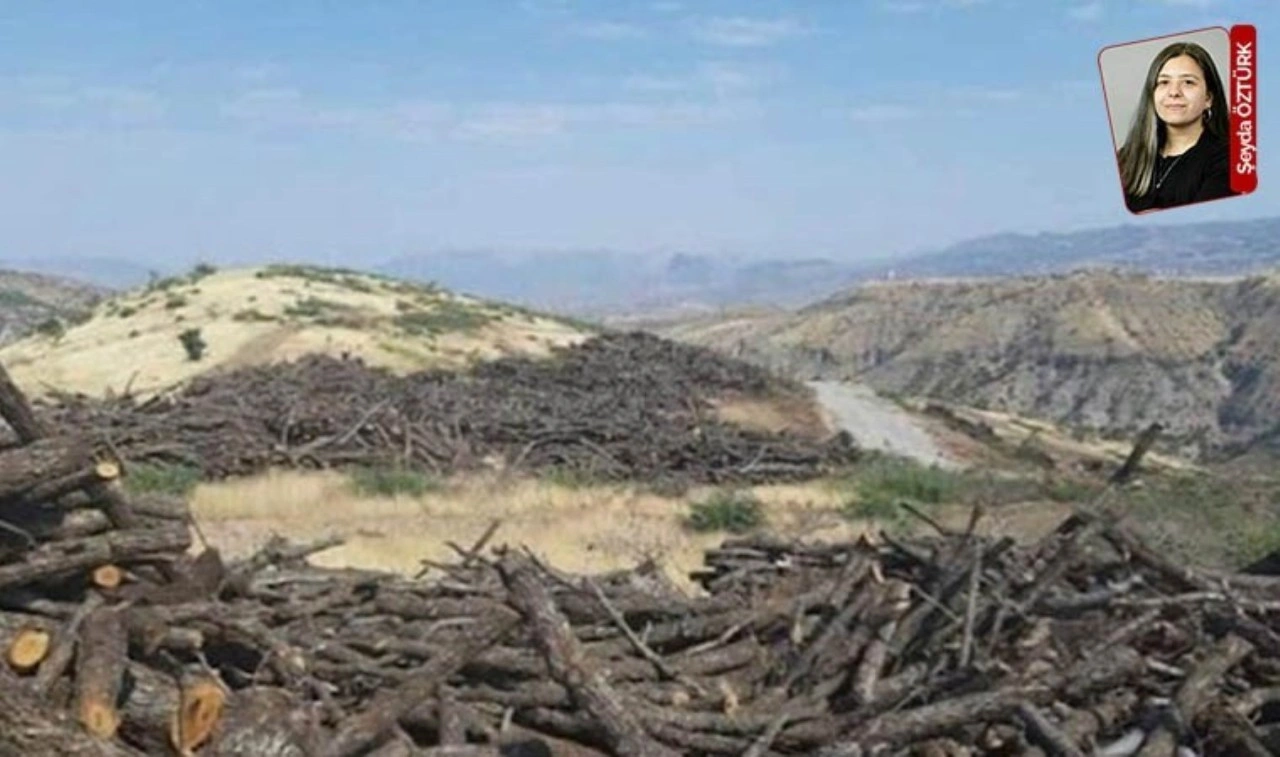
(1169, 102)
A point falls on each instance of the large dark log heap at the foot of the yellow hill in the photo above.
(621, 407)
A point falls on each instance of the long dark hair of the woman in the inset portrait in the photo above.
(1148, 133)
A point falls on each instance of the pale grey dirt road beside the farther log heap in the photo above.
(877, 423)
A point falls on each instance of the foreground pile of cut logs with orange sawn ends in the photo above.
(125, 635)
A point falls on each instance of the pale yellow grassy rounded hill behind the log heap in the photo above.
(245, 317)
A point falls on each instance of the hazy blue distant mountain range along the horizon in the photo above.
(604, 282)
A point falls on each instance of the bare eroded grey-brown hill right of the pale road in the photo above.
(1100, 350)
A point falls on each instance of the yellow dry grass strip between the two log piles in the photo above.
(584, 530)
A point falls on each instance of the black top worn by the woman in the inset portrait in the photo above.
(1200, 174)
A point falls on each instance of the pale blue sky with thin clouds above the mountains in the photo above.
(243, 131)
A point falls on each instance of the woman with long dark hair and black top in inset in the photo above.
(1177, 151)
